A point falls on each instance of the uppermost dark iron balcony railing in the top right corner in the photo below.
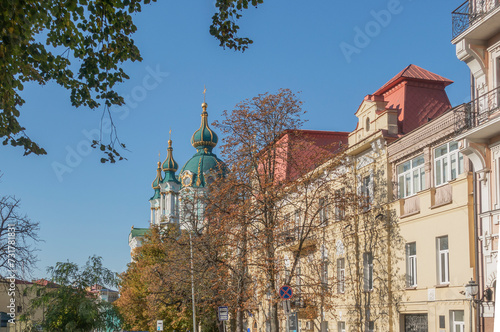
(469, 12)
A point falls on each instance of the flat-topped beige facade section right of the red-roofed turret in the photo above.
(433, 204)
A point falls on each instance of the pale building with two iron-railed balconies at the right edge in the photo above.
(477, 40)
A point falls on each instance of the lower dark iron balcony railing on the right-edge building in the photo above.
(476, 112)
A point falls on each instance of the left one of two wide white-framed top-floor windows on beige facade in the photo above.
(411, 177)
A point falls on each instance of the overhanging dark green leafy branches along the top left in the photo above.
(80, 45)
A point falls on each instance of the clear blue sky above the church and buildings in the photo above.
(86, 208)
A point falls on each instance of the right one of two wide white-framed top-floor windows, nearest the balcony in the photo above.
(448, 163)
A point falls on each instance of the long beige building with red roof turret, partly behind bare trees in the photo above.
(394, 246)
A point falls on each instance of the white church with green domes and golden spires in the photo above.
(174, 198)
